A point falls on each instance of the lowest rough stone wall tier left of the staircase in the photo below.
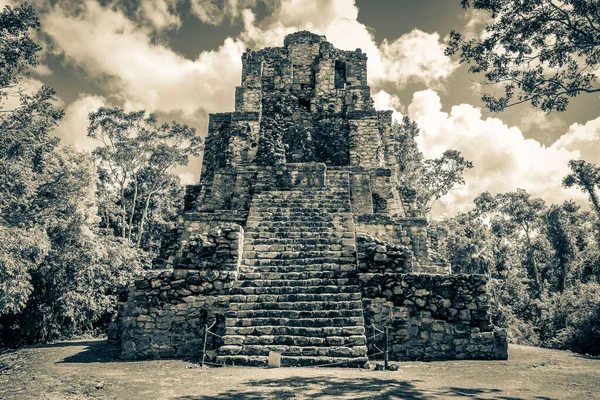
(163, 313)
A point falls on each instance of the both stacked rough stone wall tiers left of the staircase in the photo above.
(162, 313)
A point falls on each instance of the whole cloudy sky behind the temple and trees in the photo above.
(181, 58)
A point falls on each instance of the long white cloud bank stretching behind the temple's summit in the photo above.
(137, 71)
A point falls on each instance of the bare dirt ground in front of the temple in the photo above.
(88, 369)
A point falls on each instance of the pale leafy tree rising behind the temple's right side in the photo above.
(430, 179)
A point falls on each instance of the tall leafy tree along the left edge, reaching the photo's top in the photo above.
(25, 125)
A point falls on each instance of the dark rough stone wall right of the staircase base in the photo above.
(433, 317)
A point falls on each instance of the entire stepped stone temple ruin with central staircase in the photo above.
(297, 239)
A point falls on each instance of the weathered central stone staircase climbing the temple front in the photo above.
(297, 291)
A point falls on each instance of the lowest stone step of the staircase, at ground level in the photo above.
(291, 361)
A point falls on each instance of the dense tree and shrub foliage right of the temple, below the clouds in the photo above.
(509, 234)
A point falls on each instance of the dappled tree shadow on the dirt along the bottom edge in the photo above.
(355, 388)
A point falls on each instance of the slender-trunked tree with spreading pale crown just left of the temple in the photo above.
(138, 154)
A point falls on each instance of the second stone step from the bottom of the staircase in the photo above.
(263, 350)
